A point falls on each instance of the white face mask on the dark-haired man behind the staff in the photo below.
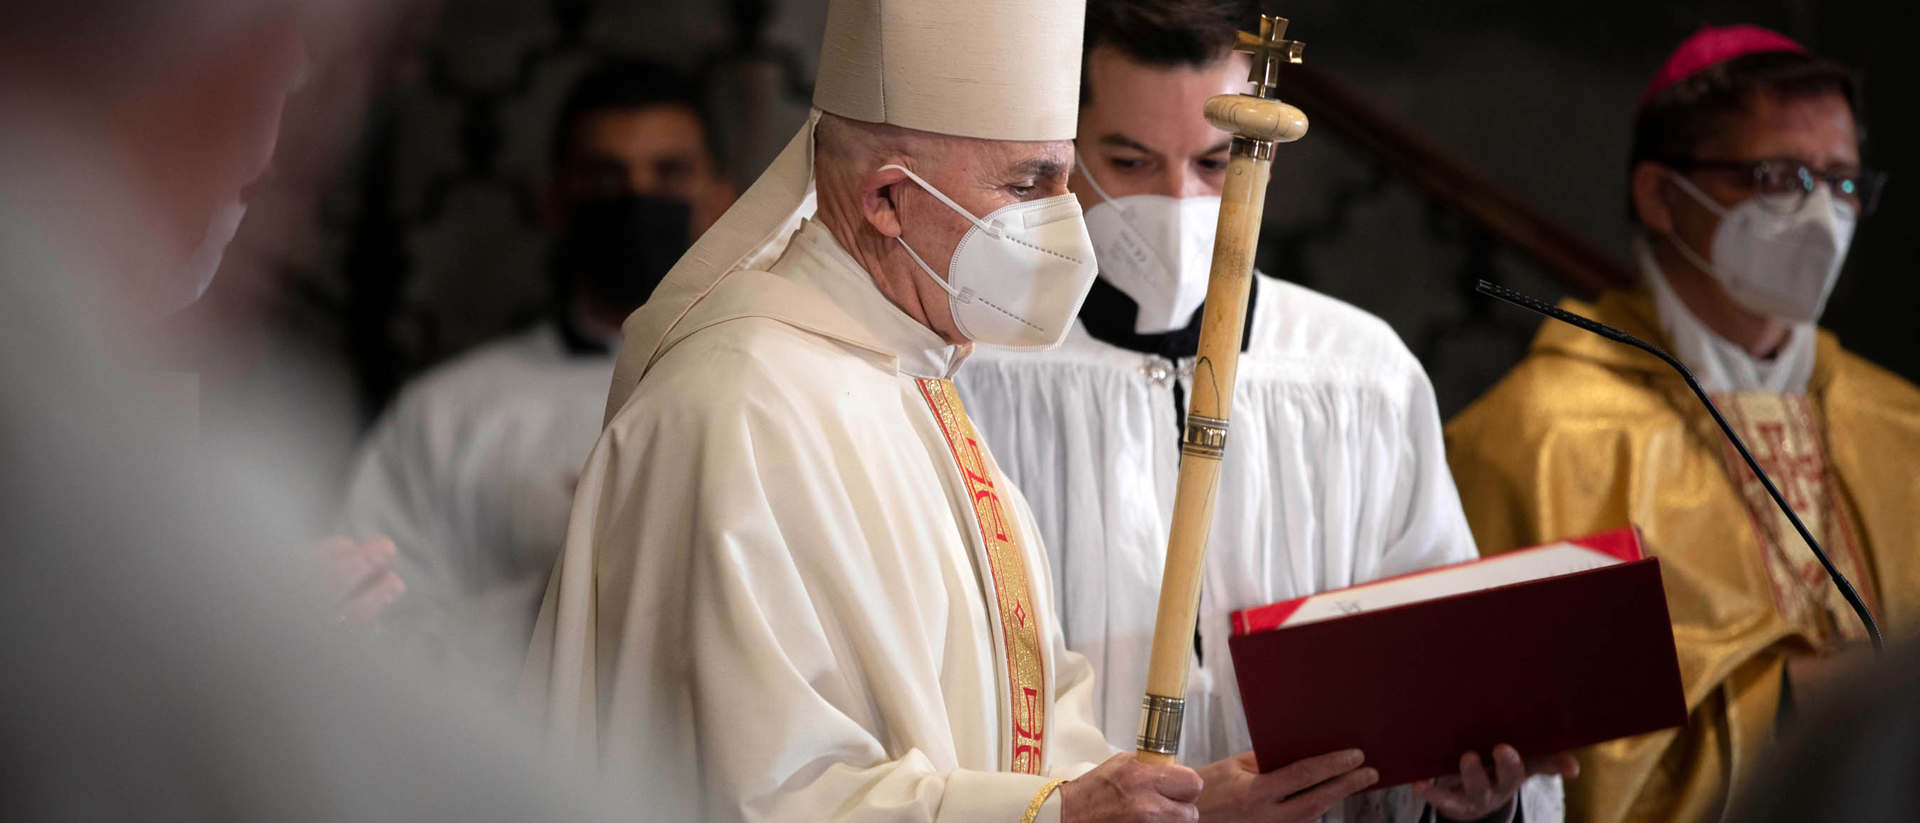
(1159, 250)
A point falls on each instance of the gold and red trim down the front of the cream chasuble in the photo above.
(1009, 565)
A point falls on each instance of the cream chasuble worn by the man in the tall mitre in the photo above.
(775, 600)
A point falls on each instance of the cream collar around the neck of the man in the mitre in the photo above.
(817, 260)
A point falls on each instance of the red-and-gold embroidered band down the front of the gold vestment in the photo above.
(1788, 442)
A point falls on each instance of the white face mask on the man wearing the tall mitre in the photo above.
(1020, 275)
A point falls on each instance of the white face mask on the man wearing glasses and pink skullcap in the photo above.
(1781, 266)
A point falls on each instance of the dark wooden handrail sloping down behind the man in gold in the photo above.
(1456, 183)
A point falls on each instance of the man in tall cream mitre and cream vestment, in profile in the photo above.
(796, 584)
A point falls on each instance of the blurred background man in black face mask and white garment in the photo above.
(473, 469)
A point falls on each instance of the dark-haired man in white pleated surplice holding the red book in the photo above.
(1335, 475)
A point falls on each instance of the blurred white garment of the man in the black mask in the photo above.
(471, 473)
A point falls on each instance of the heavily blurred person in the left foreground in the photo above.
(170, 657)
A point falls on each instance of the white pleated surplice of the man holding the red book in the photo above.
(1335, 475)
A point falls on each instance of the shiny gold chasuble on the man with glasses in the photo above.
(1587, 436)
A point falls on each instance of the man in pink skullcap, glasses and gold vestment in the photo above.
(1746, 185)
